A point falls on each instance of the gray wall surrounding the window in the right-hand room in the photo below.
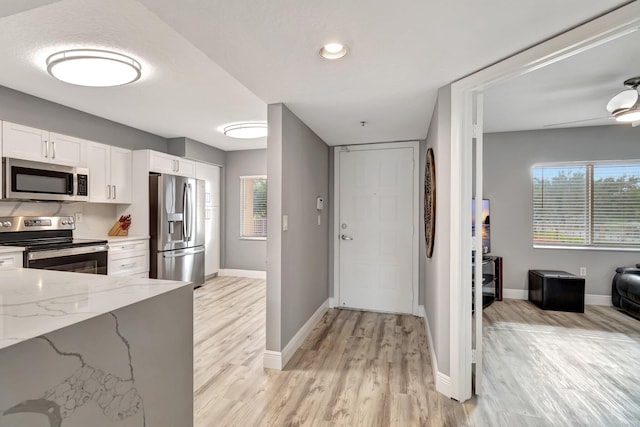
(508, 158)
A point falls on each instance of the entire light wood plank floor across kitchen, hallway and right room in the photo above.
(542, 368)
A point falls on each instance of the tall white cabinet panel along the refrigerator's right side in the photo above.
(211, 176)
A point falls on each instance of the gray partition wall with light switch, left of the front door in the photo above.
(302, 264)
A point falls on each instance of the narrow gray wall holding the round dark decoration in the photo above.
(435, 270)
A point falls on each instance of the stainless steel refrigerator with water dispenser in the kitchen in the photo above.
(177, 228)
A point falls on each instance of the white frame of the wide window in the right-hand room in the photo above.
(589, 190)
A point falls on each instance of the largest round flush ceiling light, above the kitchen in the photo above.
(92, 67)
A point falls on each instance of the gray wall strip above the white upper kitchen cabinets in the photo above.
(18, 107)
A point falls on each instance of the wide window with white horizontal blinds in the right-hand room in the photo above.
(594, 204)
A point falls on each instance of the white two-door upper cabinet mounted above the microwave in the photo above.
(27, 143)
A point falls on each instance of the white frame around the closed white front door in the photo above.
(415, 146)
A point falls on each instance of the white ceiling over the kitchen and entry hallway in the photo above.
(209, 62)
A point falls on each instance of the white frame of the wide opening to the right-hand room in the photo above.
(609, 26)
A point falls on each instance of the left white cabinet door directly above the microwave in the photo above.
(23, 142)
